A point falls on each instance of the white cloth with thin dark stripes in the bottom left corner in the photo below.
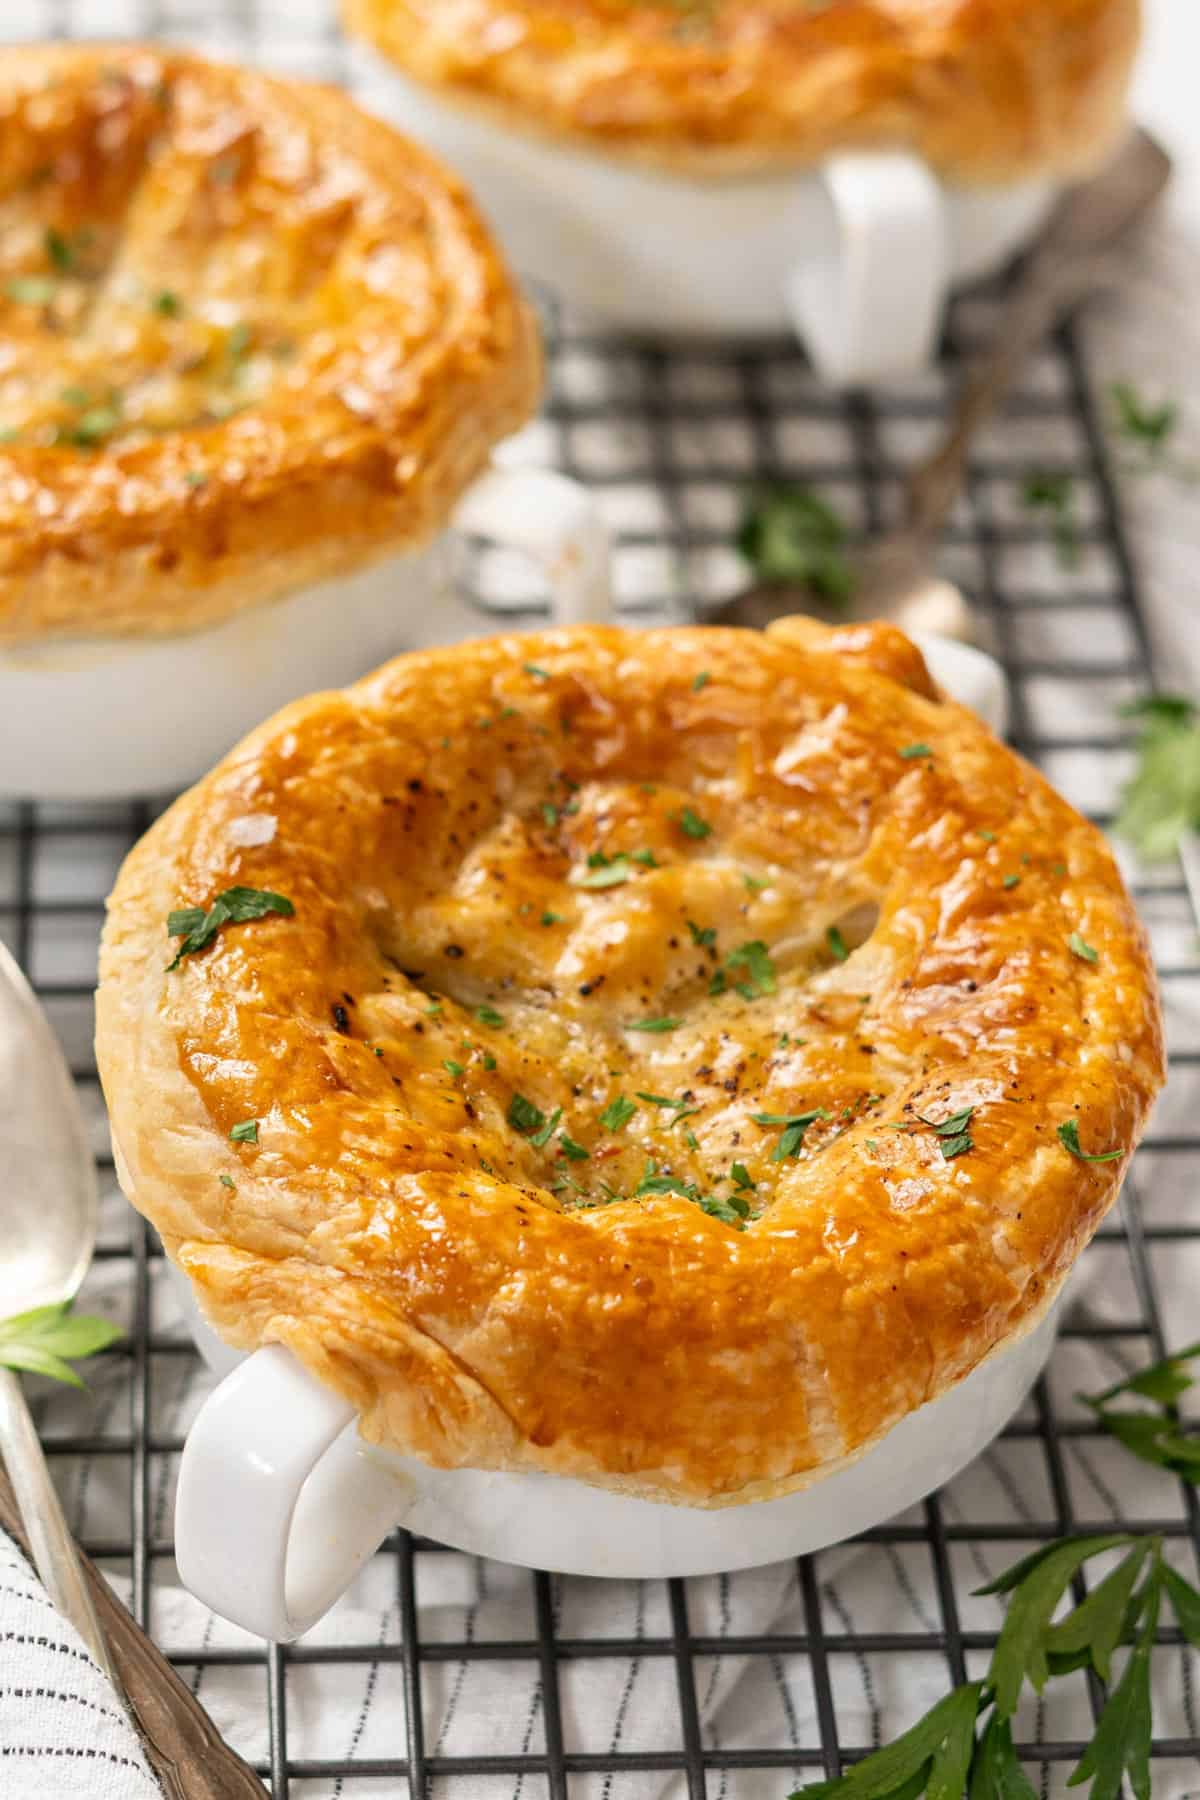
(62, 1732)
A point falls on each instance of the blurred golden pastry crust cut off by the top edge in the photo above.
(987, 91)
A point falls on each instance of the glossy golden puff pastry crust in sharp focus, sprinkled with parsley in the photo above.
(596, 1079)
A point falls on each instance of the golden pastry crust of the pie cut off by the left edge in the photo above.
(251, 339)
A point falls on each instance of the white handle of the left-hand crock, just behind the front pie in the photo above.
(557, 523)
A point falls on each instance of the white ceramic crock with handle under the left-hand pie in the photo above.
(141, 715)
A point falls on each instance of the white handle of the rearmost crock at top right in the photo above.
(872, 307)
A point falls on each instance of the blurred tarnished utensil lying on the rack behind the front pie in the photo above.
(1075, 256)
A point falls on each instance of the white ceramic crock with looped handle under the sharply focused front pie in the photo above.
(282, 1455)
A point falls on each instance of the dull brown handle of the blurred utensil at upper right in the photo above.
(1071, 260)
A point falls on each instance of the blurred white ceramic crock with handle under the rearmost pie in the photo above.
(857, 256)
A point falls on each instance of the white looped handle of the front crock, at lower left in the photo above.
(278, 1506)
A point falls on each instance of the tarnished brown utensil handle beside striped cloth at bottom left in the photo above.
(181, 1741)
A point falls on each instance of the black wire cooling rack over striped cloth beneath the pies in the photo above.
(454, 1678)
